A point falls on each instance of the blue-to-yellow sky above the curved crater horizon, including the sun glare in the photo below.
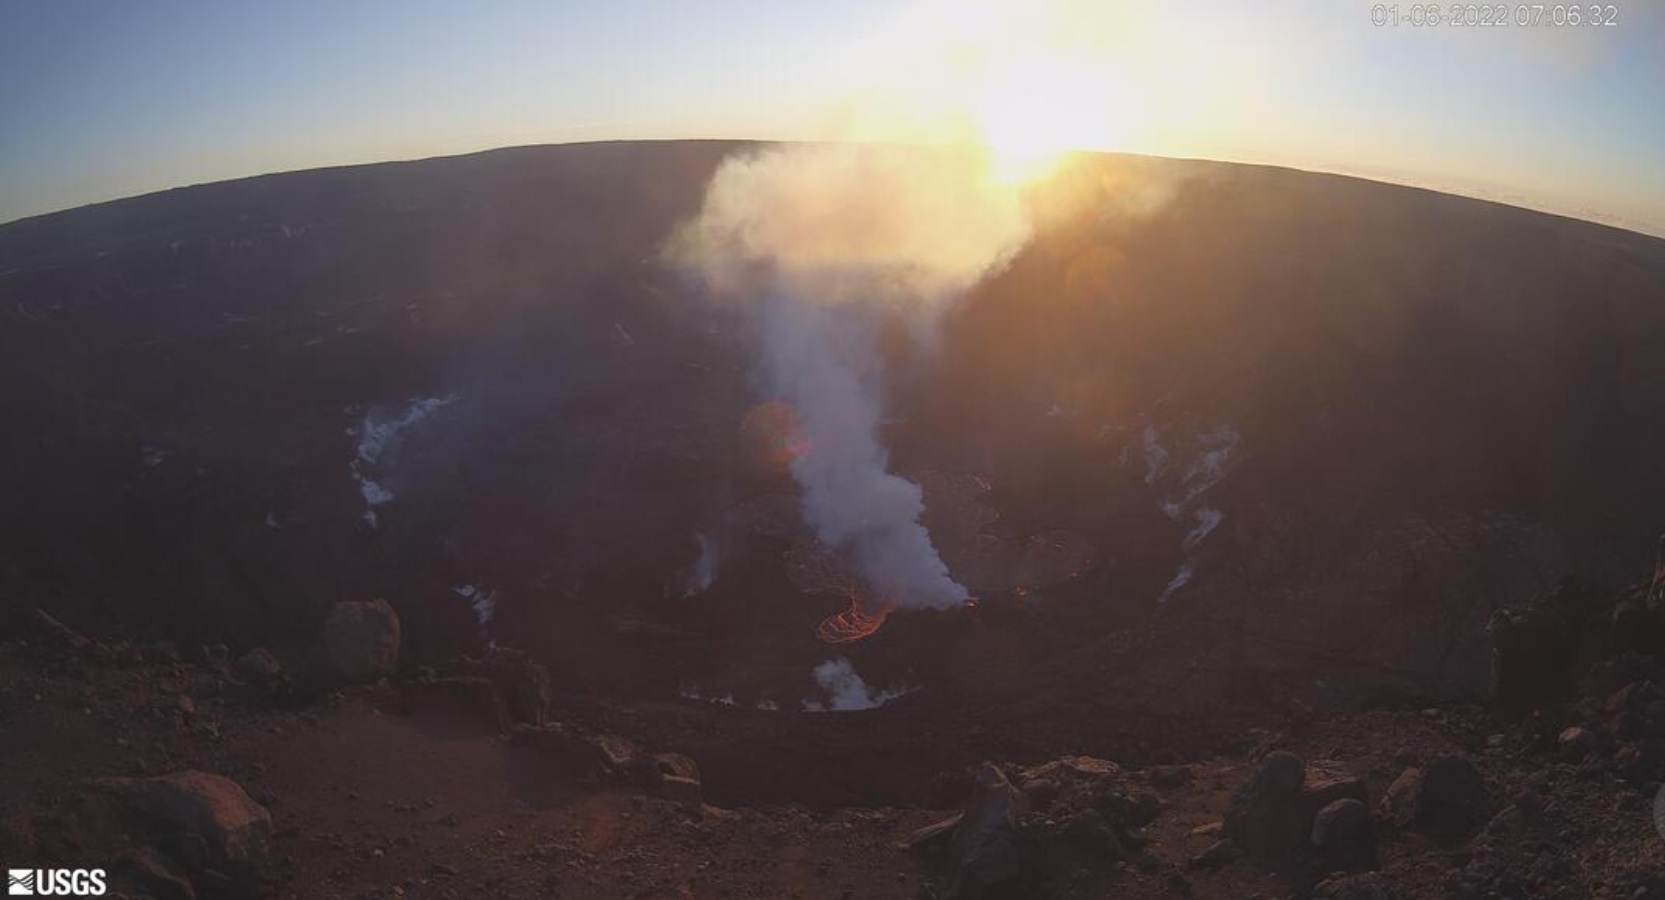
(102, 101)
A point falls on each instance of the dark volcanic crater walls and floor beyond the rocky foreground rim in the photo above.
(1328, 425)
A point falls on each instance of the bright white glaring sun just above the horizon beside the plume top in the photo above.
(1033, 111)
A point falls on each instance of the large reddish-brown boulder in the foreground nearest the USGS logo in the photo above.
(206, 821)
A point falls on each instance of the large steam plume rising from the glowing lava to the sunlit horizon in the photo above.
(825, 244)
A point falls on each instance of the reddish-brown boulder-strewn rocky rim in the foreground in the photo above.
(347, 773)
